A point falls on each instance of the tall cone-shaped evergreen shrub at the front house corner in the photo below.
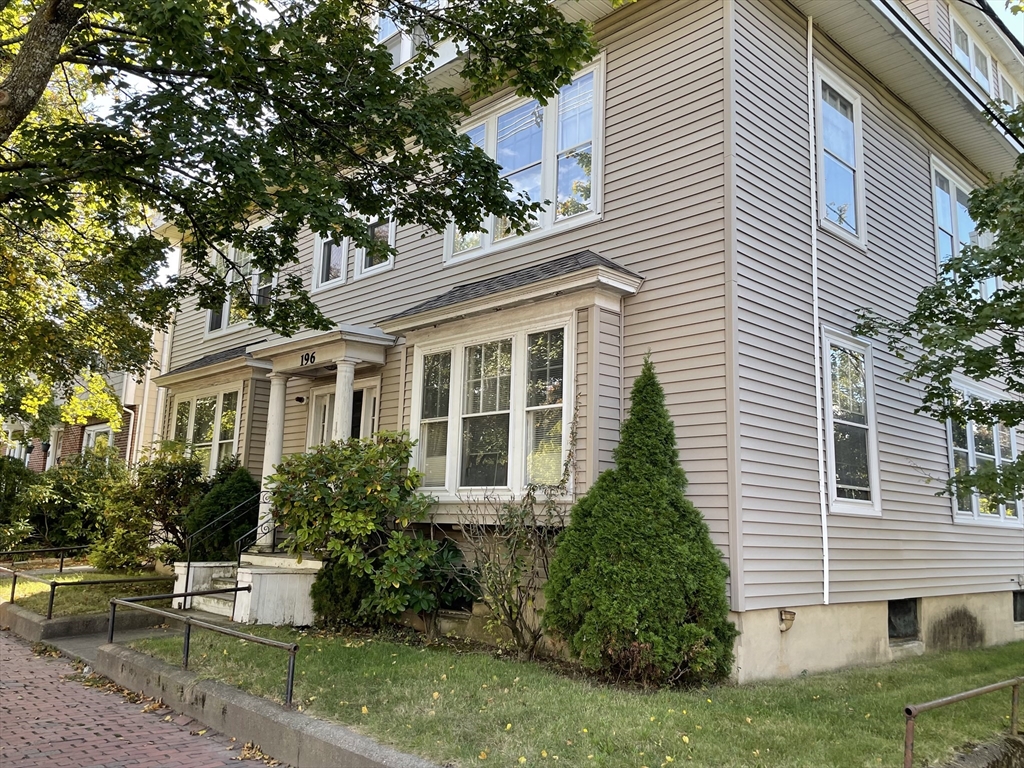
(637, 588)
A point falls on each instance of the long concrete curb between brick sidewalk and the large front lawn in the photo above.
(290, 737)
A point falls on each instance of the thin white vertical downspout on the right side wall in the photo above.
(819, 395)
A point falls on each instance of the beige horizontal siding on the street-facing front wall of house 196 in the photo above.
(663, 218)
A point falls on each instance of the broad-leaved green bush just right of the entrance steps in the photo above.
(354, 504)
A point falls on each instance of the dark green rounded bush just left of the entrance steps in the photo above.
(232, 488)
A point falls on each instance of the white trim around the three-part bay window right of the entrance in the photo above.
(492, 330)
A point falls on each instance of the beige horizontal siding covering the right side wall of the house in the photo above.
(914, 549)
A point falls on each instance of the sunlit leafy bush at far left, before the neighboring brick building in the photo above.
(68, 501)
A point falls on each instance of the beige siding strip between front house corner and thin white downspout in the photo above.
(780, 513)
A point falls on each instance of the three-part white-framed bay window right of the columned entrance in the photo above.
(492, 414)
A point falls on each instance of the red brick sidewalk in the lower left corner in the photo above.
(50, 722)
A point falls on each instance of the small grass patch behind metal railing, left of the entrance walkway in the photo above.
(74, 602)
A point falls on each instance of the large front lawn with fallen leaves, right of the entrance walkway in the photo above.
(473, 709)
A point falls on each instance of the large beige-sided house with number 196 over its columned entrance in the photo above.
(755, 173)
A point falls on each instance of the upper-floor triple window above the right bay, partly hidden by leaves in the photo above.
(548, 153)
